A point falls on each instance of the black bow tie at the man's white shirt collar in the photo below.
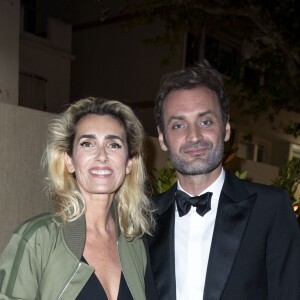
(184, 203)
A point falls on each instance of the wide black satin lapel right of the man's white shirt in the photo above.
(231, 221)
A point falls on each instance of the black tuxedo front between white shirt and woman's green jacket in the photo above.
(161, 247)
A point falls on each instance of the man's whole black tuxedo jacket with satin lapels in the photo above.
(255, 250)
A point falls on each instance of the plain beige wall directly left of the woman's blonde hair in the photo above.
(22, 141)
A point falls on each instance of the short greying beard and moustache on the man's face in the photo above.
(198, 165)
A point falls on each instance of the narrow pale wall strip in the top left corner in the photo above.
(9, 50)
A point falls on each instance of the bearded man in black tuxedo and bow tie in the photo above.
(242, 241)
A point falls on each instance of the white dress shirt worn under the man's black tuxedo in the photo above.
(193, 235)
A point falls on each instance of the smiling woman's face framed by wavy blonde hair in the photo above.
(100, 155)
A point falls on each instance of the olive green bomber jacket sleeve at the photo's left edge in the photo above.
(19, 270)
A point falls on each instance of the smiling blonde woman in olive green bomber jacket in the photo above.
(91, 247)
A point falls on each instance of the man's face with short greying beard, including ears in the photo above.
(194, 132)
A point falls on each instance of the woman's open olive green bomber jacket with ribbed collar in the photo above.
(43, 261)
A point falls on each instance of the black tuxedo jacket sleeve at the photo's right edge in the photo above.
(283, 252)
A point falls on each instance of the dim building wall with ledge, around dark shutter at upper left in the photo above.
(49, 58)
